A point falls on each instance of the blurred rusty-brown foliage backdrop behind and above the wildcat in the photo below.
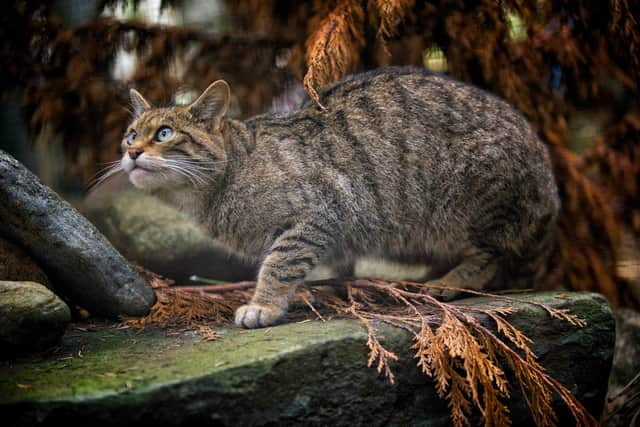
(571, 66)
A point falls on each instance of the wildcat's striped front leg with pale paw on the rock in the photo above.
(290, 259)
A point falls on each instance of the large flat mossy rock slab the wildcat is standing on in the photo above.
(311, 373)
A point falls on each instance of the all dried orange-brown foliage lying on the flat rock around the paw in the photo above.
(452, 343)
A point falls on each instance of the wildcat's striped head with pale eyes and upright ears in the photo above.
(174, 147)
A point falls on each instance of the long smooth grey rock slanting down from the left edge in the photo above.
(80, 262)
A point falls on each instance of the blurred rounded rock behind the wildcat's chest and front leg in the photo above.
(157, 236)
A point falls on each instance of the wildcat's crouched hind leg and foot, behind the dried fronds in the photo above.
(477, 268)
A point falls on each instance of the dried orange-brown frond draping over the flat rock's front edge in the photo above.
(460, 343)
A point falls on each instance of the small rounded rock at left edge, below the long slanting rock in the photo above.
(31, 317)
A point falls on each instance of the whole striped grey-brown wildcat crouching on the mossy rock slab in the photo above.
(402, 164)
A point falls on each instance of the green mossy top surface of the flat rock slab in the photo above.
(111, 361)
